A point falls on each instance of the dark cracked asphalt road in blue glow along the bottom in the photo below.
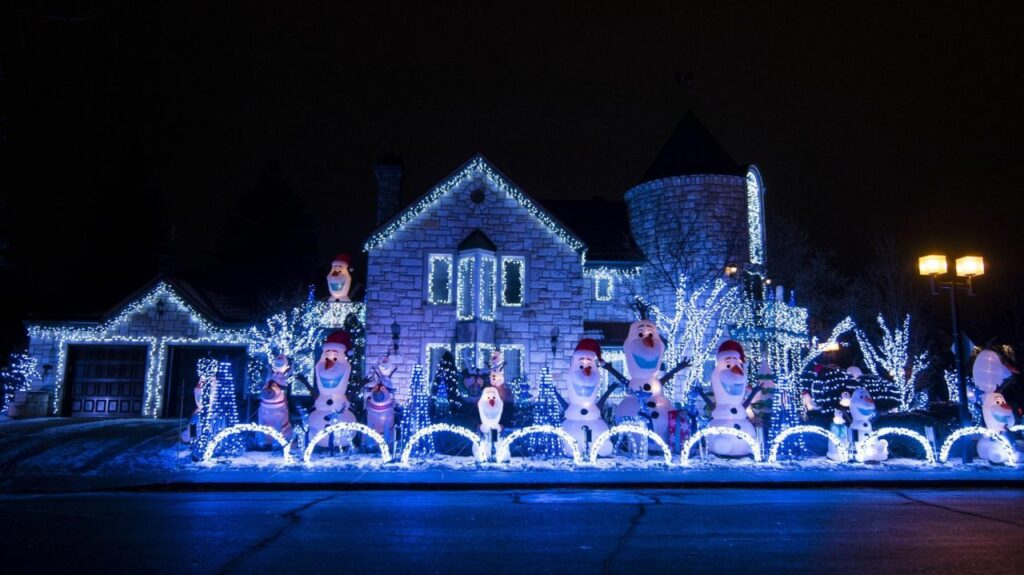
(563, 532)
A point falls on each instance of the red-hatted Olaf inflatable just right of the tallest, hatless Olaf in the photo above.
(729, 383)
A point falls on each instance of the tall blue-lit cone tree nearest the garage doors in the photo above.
(220, 409)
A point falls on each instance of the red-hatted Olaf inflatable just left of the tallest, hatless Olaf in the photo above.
(583, 390)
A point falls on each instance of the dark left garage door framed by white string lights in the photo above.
(106, 381)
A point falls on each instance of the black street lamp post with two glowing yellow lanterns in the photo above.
(968, 268)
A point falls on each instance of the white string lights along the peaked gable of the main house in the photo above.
(477, 167)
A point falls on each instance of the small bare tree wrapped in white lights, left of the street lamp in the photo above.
(892, 359)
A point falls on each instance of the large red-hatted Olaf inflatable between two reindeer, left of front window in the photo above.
(332, 375)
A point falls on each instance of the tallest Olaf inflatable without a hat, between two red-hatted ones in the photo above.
(644, 349)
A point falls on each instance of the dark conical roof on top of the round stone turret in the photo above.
(692, 150)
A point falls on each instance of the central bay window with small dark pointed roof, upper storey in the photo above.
(478, 281)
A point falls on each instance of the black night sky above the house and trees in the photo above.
(864, 118)
